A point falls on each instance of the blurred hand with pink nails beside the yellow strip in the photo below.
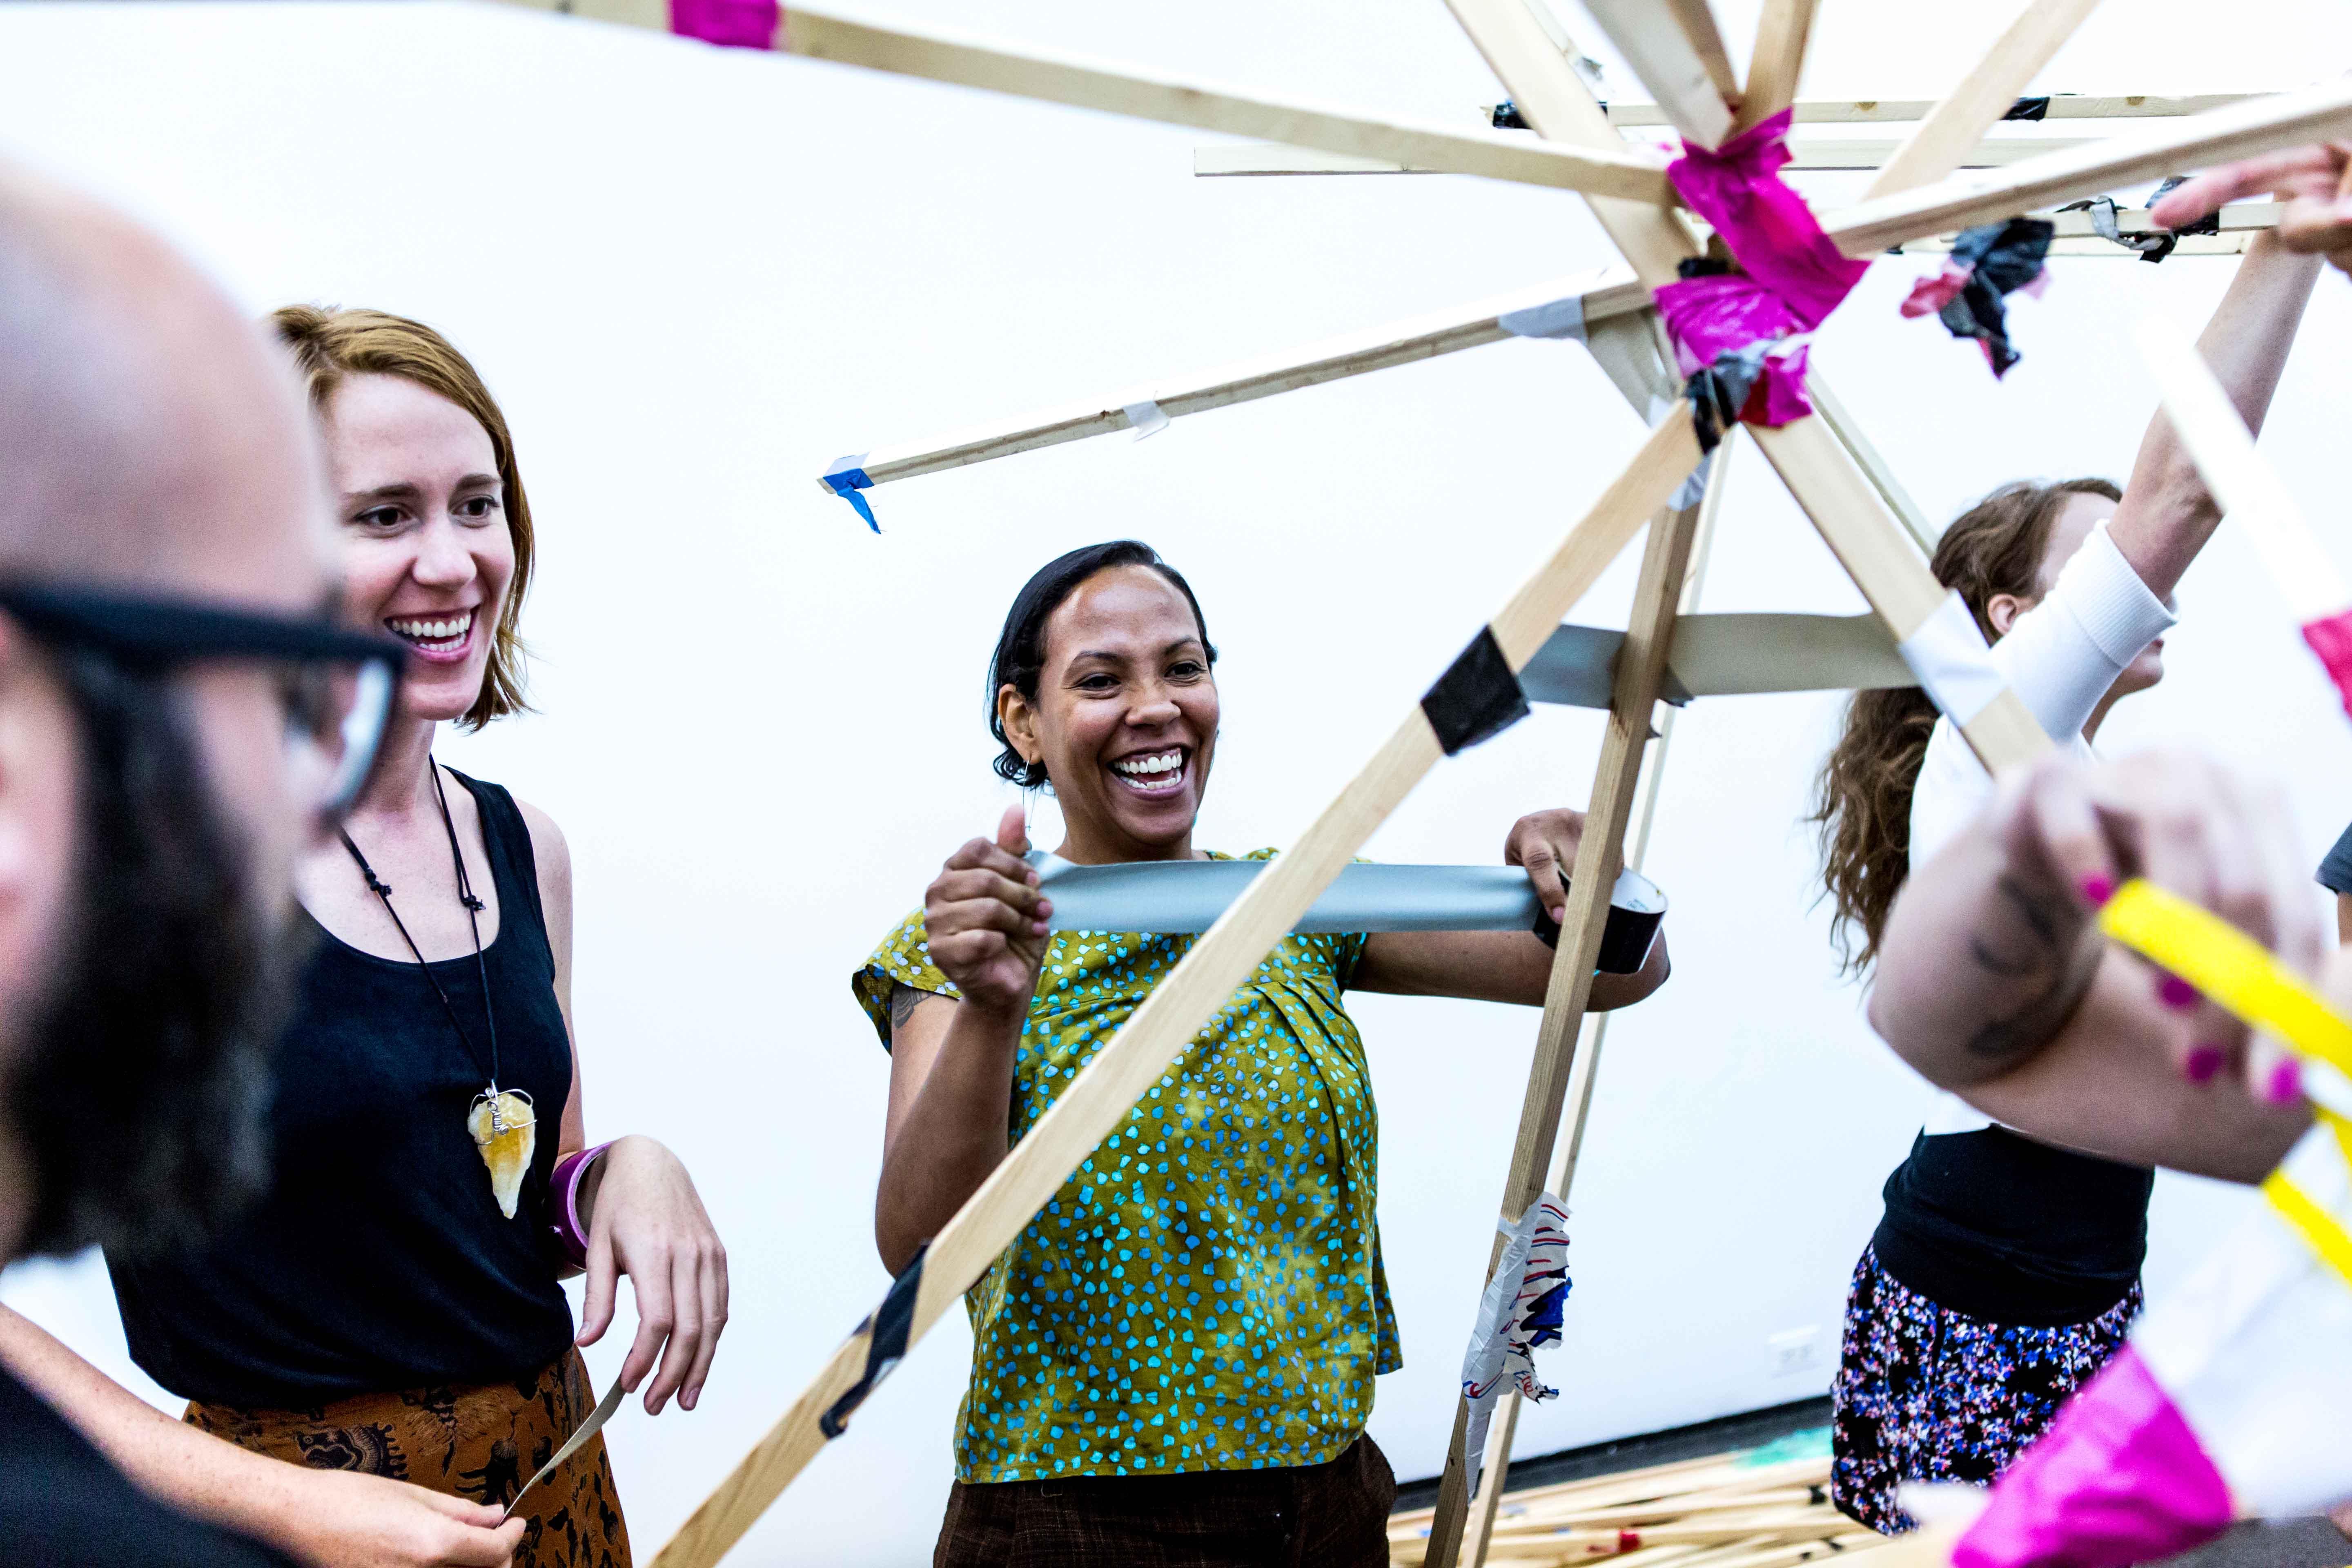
(2071, 833)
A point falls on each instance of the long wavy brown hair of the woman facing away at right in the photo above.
(1862, 803)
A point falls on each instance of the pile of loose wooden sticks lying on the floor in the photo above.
(1730, 1510)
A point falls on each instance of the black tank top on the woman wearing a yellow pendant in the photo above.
(380, 1259)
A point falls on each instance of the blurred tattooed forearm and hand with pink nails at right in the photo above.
(1996, 981)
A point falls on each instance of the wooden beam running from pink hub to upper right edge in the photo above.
(2125, 159)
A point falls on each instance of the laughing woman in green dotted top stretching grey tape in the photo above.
(1175, 1360)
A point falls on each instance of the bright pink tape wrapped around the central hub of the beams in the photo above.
(1793, 272)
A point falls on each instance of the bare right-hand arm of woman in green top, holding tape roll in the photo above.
(1506, 965)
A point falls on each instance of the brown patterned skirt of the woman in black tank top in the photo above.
(481, 1445)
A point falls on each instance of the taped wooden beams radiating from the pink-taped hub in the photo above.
(1836, 478)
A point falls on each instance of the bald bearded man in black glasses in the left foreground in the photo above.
(180, 718)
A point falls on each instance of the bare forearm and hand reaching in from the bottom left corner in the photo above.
(326, 1517)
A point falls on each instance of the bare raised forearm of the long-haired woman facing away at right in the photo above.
(2167, 514)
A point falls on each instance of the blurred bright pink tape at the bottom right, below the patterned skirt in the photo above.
(2116, 1480)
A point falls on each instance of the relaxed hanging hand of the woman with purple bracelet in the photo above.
(648, 1221)
